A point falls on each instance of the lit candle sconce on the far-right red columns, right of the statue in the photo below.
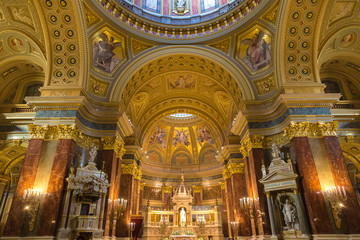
(336, 197)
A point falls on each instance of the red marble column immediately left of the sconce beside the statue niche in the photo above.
(239, 191)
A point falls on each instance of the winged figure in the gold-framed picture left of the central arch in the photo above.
(103, 52)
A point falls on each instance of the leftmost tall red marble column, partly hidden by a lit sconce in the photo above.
(31, 161)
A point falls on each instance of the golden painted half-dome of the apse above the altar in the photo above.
(184, 145)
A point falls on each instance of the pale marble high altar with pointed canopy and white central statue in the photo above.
(183, 221)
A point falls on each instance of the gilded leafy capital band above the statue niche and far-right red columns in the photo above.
(307, 129)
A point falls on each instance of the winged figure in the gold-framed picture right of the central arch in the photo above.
(258, 51)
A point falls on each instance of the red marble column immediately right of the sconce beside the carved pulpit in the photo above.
(126, 188)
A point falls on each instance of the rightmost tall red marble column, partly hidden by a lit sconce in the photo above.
(351, 212)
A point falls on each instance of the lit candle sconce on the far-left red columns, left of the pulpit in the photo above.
(31, 198)
